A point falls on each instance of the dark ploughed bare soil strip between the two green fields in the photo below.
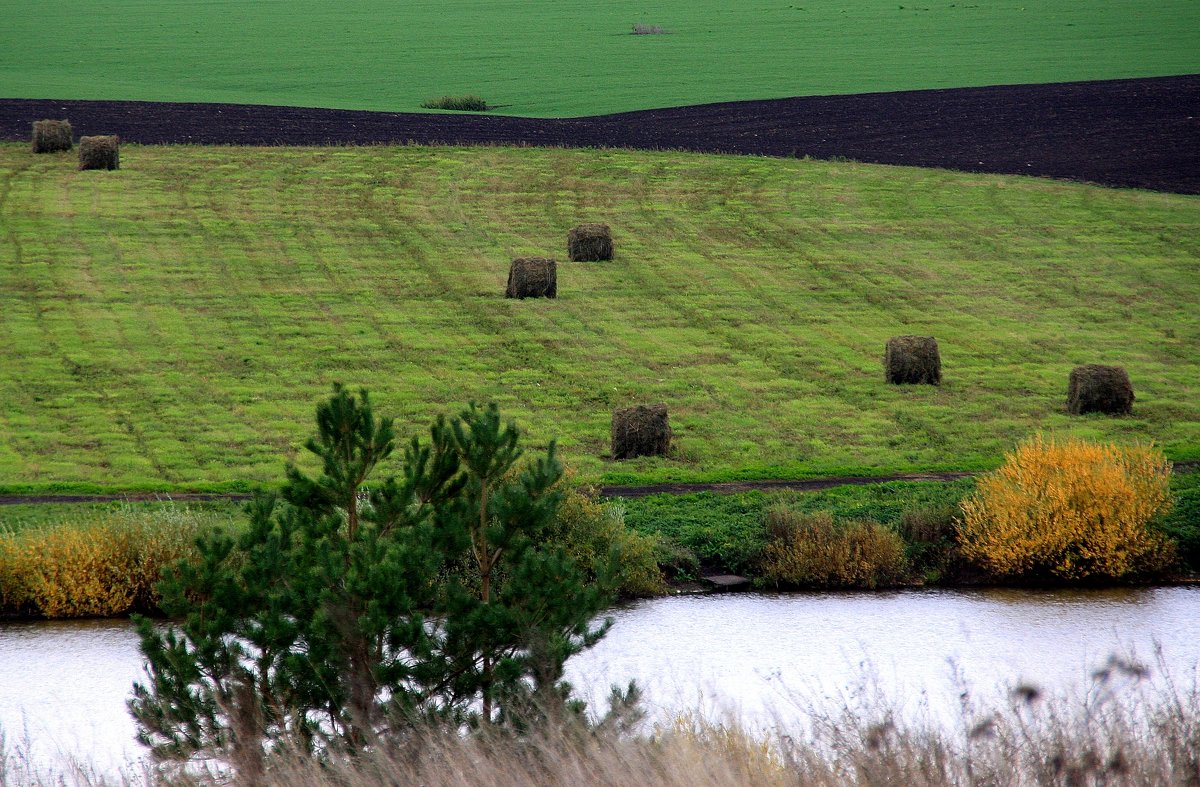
(1142, 134)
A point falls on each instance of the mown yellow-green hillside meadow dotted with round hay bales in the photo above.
(172, 325)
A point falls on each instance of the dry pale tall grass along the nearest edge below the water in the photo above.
(1127, 730)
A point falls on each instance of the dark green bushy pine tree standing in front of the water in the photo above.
(352, 609)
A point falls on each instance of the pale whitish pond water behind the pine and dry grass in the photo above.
(765, 659)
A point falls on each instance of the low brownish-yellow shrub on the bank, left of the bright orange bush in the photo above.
(817, 551)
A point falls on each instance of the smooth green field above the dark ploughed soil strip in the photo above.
(572, 58)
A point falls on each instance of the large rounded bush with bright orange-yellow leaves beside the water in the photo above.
(1070, 510)
